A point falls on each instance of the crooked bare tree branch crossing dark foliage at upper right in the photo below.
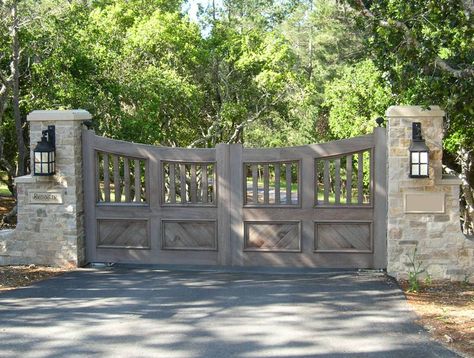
(413, 42)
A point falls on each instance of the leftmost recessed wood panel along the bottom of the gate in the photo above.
(123, 233)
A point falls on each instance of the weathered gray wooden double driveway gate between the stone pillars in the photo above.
(320, 205)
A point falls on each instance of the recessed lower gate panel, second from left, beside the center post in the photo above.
(189, 235)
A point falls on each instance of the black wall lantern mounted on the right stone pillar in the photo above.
(419, 154)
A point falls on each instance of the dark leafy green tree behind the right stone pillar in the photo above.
(425, 49)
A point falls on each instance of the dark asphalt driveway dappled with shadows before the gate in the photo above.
(160, 313)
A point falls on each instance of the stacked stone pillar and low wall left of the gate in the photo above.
(51, 234)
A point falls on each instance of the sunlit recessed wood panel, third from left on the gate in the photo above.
(272, 236)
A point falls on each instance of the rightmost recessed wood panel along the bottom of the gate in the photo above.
(343, 237)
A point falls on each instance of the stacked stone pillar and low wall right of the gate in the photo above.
(443, 251)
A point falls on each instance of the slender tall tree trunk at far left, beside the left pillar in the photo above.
(21, 168)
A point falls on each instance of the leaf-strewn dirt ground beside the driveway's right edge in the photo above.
(446, 310)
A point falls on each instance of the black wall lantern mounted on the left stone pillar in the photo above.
(44, 153)
